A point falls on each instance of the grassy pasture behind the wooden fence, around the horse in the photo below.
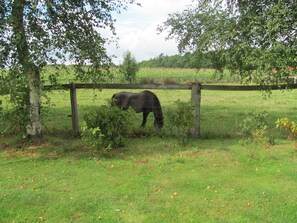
(221, 111)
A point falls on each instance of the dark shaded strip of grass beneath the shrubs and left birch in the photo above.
(61, 144)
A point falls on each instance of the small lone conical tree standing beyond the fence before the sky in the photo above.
(129, 67)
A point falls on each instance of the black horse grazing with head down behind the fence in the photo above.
(145, 102)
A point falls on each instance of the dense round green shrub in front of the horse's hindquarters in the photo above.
(107, 127)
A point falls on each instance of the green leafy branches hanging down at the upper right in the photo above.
(254, 38)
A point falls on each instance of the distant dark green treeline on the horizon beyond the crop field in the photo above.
(188, 60)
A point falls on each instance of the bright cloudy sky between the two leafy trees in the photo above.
(136, 29)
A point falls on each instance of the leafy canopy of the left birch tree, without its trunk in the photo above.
(61, 31)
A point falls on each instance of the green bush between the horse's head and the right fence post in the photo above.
(180, 120)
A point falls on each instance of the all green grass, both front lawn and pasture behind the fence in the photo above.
(59, 178)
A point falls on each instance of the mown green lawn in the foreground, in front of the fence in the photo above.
(150, 180)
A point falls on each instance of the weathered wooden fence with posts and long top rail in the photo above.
(194, 87)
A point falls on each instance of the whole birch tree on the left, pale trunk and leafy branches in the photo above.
(36, 33)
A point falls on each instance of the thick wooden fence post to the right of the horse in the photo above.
(196, 101)
